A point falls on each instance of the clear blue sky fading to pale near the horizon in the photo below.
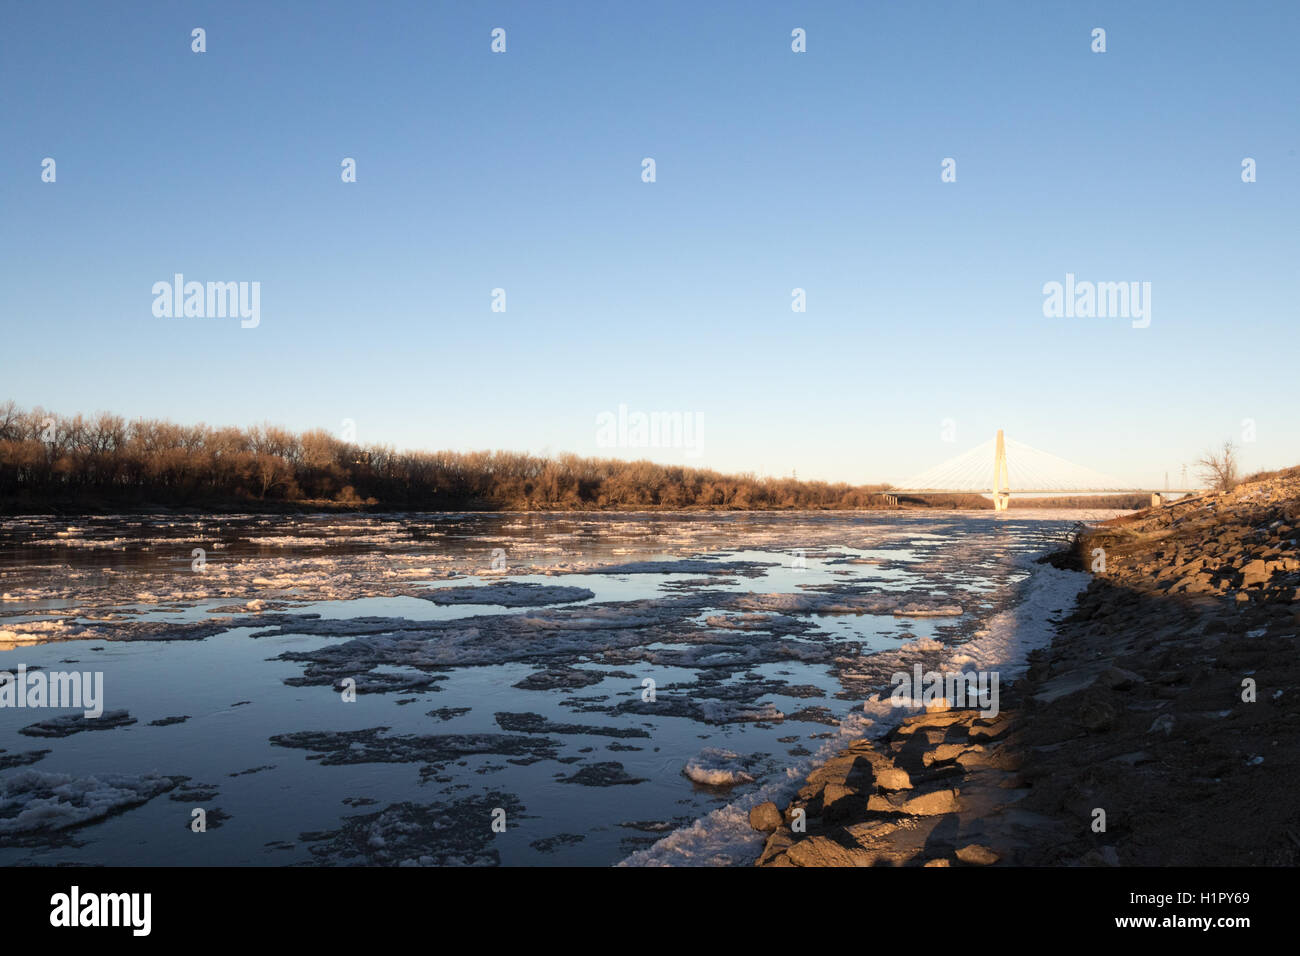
(774, 171)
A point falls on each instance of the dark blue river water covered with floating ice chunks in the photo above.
(476, 689)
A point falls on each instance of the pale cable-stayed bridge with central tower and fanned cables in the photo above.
(1000, 465)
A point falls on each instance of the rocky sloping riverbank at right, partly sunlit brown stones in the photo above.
(1160, 728)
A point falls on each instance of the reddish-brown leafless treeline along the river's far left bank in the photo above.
(105, 461)
